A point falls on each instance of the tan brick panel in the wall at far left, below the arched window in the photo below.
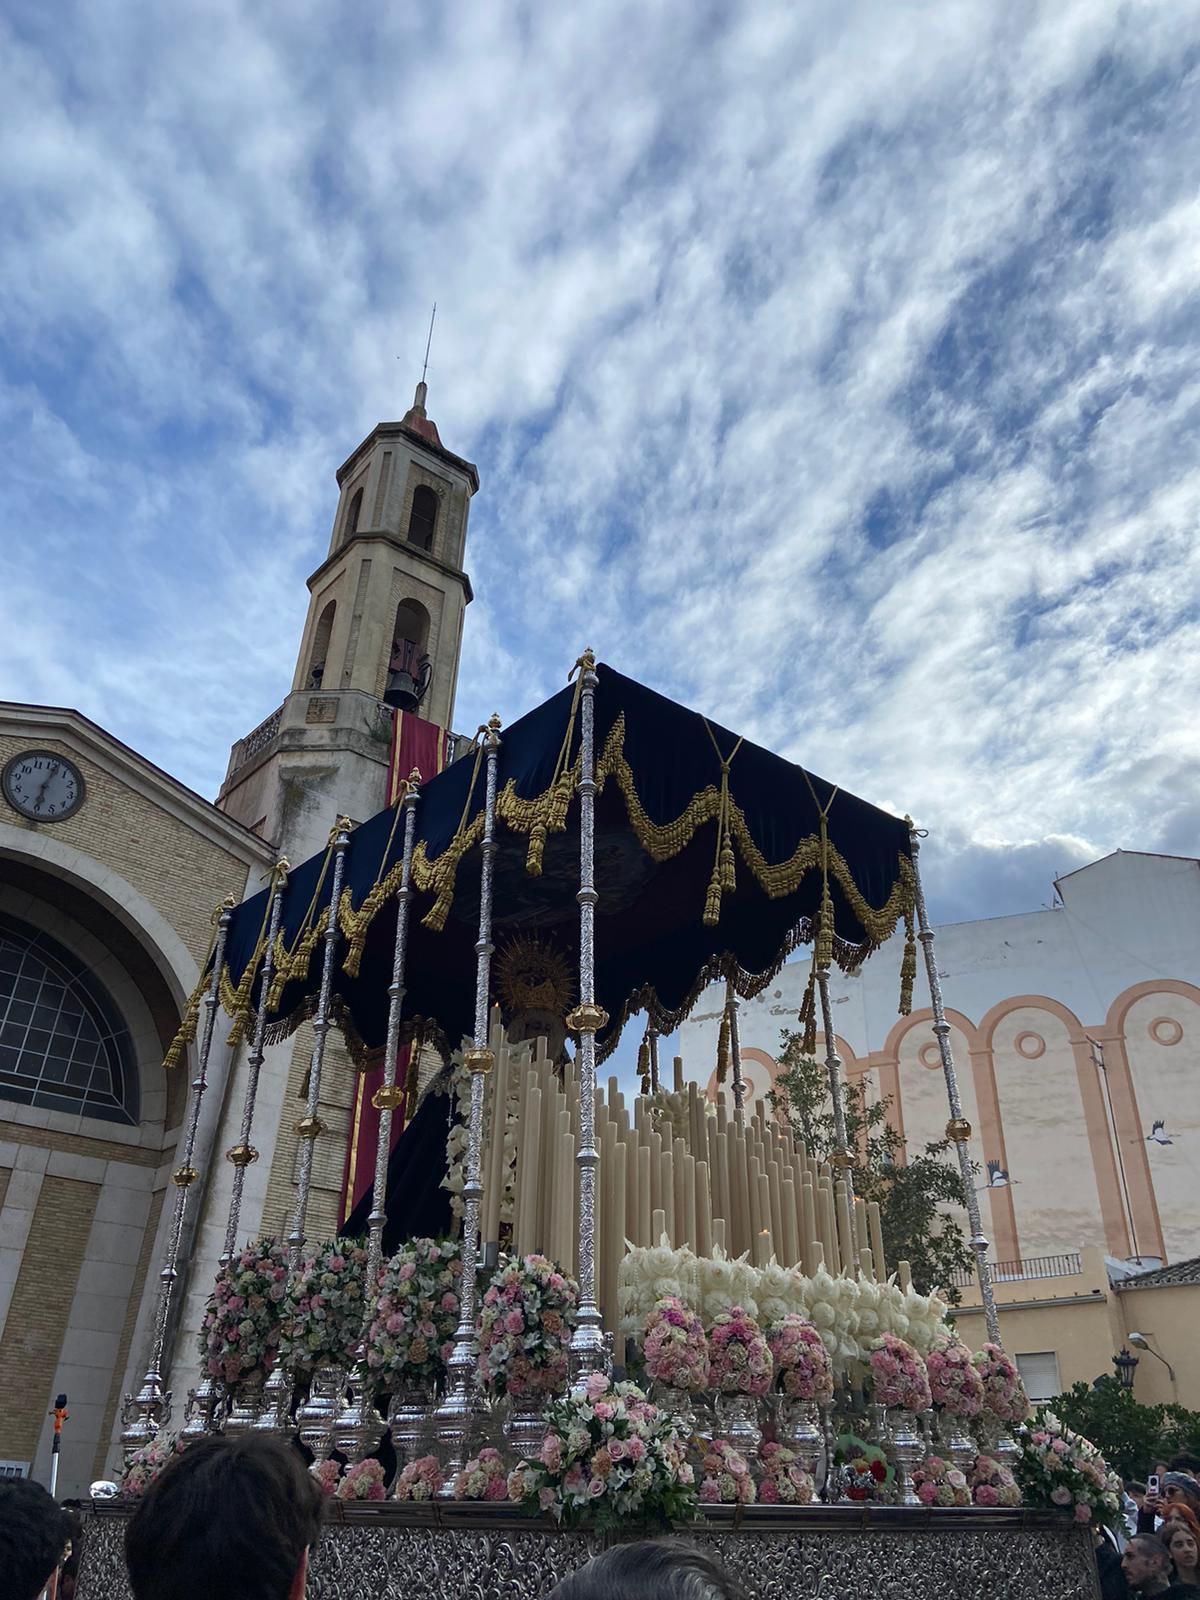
(38, 1316)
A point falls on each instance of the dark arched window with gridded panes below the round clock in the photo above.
(63, 1042)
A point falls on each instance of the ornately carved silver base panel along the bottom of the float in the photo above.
(393, 1553)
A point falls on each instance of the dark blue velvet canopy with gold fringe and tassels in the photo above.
(713, 860)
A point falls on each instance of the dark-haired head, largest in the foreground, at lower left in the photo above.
(226, 1519)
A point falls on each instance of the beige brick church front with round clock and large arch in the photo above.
(110, 873)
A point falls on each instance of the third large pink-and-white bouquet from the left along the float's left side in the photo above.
(415, 1313)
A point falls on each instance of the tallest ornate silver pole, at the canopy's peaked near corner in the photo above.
(588, 1342)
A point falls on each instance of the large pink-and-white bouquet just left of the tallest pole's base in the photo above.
(526, 1329)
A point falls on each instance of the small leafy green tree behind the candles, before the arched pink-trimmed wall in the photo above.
(911, 1193)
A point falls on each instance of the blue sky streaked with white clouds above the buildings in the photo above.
(833, 367)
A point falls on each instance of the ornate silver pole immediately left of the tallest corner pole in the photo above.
(458, 1418)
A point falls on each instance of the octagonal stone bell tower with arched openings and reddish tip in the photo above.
(383, 634)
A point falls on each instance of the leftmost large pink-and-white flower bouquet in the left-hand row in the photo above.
(239, 1337)
